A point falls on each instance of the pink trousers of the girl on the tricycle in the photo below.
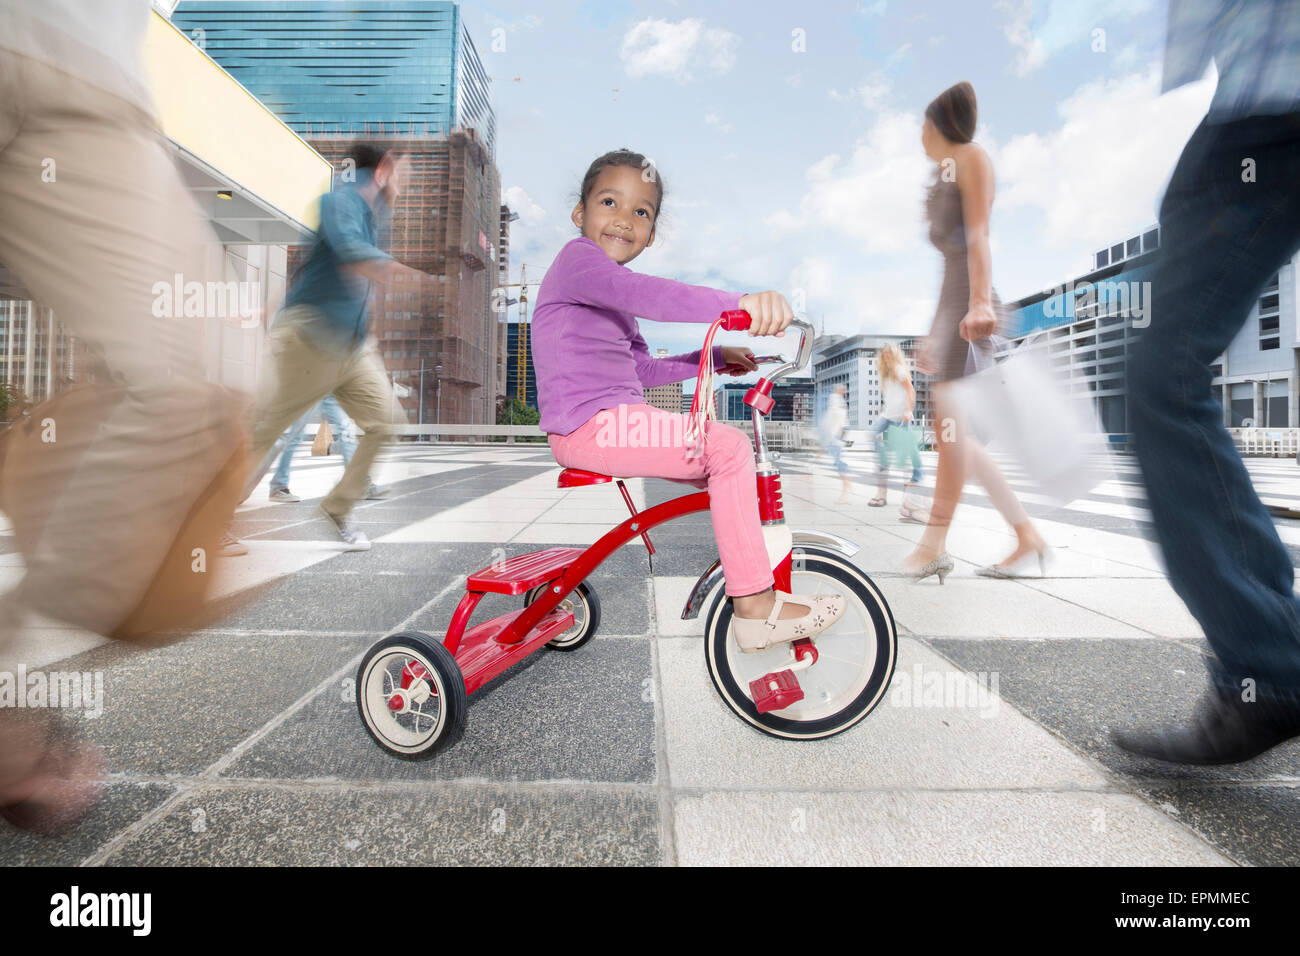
(642, 442)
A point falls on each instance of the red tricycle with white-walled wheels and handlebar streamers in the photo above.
(413, 691)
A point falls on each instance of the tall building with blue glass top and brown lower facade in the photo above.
(405, 75)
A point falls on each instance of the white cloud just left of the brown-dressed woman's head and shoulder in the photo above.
(876, 198)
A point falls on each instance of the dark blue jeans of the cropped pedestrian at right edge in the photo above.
(1221, 241)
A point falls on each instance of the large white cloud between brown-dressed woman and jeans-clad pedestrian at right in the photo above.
(1099, 175)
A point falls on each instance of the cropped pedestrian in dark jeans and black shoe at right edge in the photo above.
(1230, 219)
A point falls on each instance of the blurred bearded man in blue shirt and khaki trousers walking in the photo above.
(320, 341)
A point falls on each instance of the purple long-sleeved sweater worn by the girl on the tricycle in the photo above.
(588, 352)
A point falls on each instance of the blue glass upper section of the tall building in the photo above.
(348, 67)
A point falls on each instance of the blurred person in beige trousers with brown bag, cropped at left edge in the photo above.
(98, 488)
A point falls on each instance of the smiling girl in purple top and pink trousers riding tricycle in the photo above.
(591, 358)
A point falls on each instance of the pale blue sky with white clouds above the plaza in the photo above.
(788, 137)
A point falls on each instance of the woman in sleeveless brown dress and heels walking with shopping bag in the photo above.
(959, 209)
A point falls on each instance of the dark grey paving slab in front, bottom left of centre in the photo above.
(444, 827)
